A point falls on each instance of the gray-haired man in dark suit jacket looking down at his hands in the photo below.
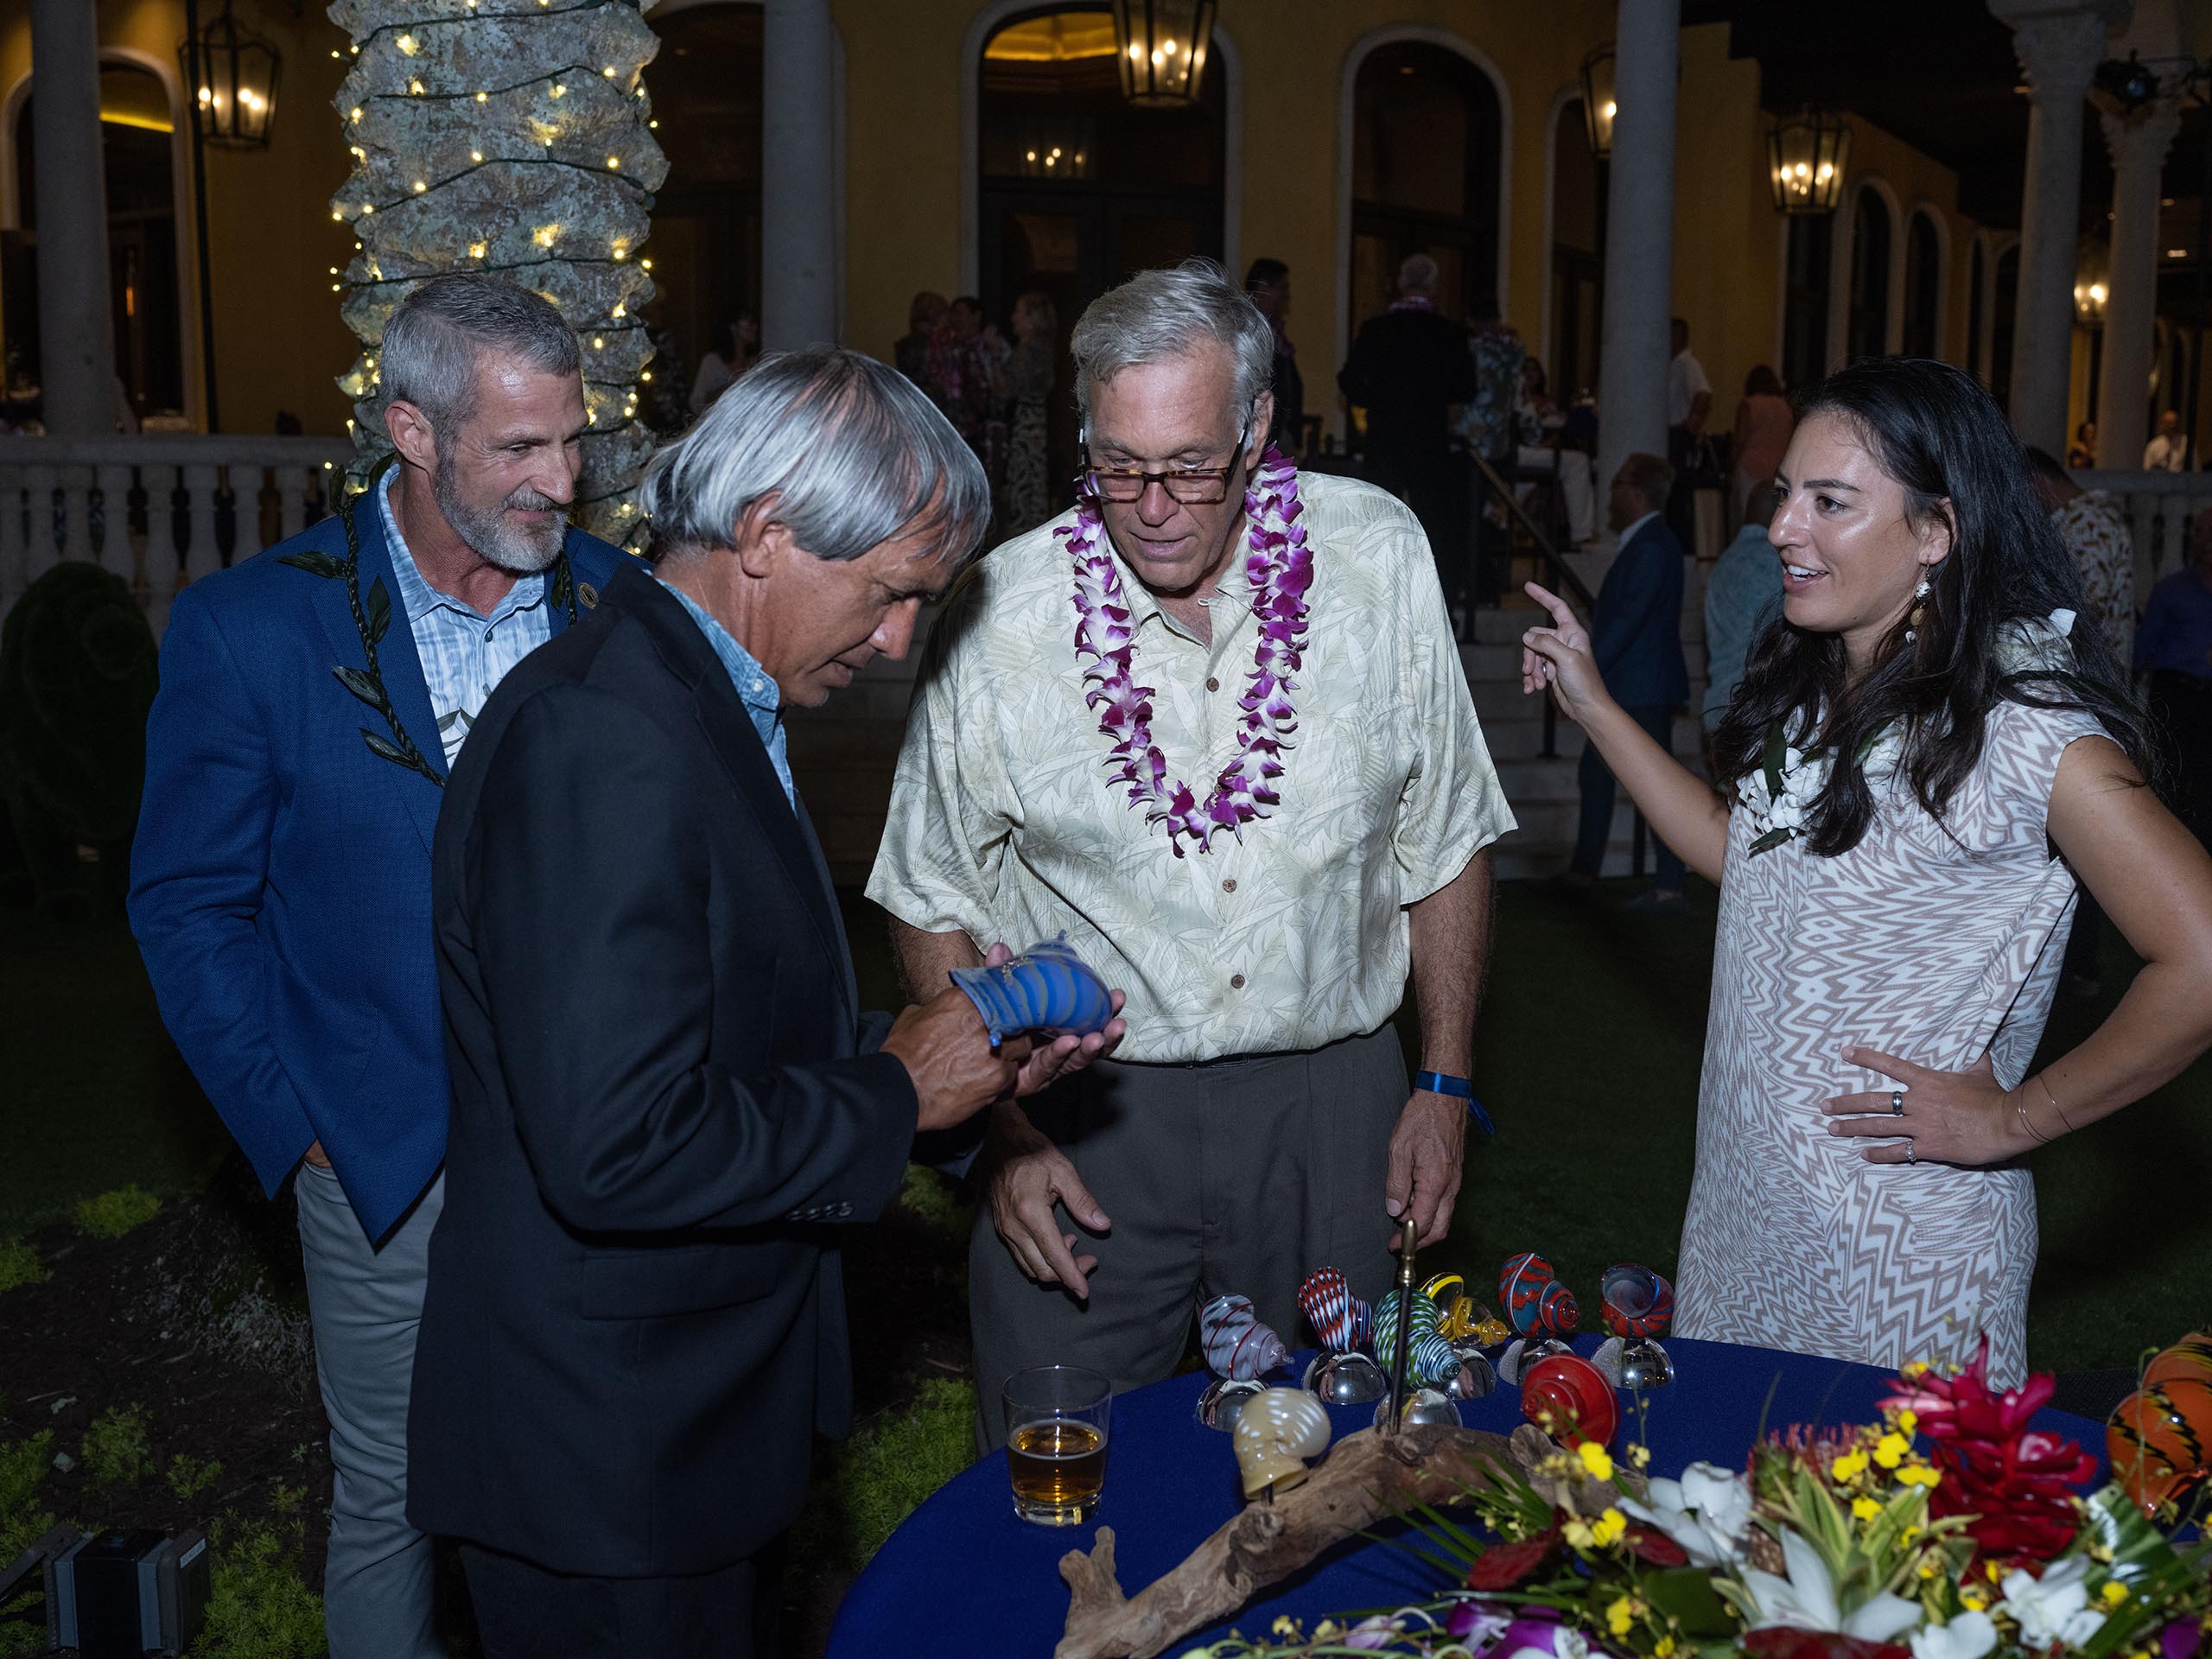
(667, 1100)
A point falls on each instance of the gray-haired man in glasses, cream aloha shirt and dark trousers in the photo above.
(1255, 1123)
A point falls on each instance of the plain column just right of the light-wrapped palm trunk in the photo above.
(800, 149)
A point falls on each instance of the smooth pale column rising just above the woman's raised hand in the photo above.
(1640, 238)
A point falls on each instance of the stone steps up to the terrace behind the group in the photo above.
(844, 753)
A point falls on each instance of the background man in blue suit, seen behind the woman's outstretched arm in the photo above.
(1636, 636)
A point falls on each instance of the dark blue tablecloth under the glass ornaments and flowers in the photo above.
(963, 1576)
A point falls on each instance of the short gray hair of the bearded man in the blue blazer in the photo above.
(439, 335)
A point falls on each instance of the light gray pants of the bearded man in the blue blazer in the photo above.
(366, 1304)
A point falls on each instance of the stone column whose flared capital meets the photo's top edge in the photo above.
(2058, 45)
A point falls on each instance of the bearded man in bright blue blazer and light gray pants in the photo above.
(311, 707)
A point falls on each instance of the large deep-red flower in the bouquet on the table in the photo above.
(2016, 1483)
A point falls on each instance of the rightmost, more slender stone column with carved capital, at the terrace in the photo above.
(2131, 302)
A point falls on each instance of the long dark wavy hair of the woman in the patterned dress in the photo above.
(1943, 439)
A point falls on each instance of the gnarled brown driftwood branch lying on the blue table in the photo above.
(1366, 1479)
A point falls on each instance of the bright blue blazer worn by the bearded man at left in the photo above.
(280, 884)
